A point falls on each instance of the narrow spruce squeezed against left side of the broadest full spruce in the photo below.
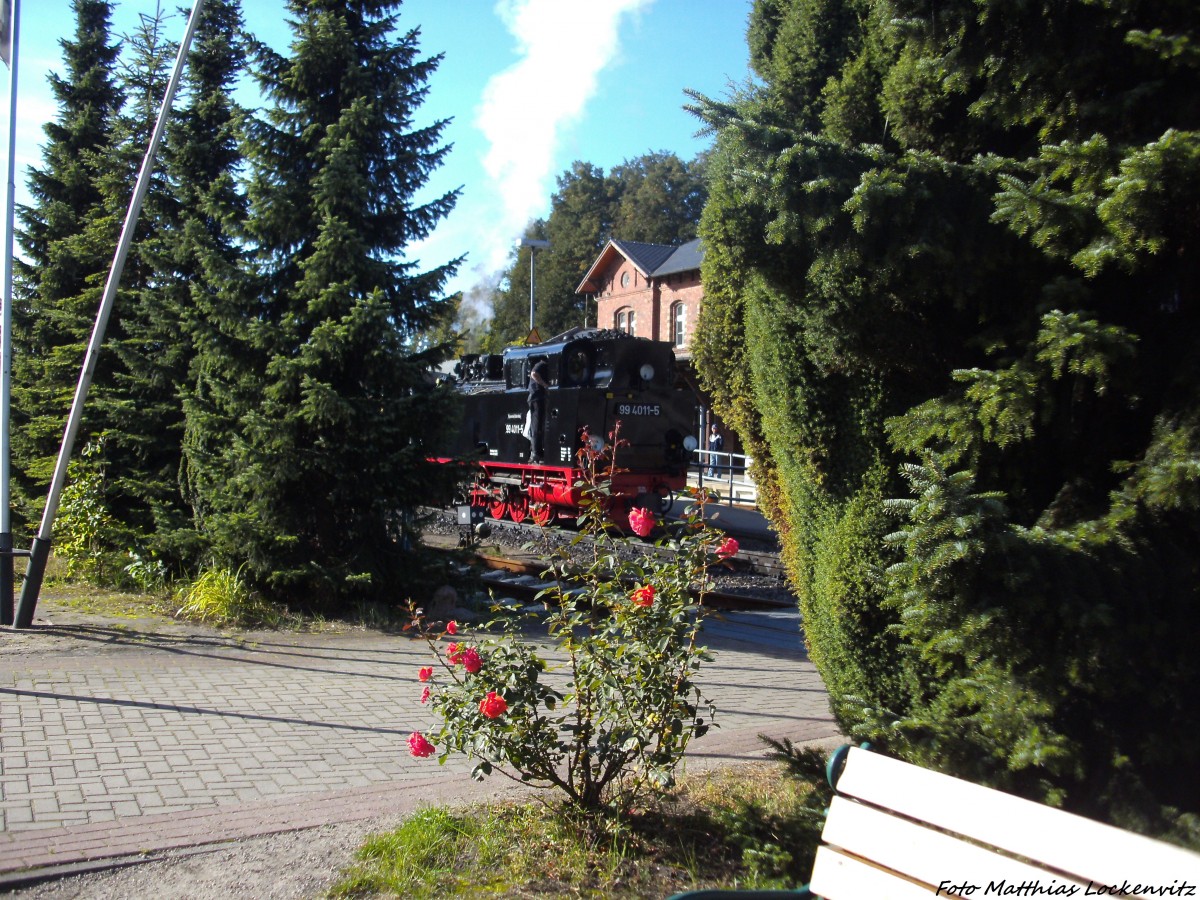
(207, 257)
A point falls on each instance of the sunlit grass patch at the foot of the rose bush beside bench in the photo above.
(749, 827)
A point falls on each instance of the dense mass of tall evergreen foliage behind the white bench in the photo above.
(951, 303)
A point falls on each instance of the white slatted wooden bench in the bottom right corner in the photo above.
(897, 831)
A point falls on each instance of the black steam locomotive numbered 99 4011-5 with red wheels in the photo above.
(598, 380)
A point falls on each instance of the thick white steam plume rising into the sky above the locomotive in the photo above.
(525, 111)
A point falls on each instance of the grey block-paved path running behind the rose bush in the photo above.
(118, 741)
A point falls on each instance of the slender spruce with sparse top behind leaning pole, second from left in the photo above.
(134, 409)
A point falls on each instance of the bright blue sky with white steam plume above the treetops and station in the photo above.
(531, 87)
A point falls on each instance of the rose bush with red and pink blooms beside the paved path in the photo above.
(605, 712)
